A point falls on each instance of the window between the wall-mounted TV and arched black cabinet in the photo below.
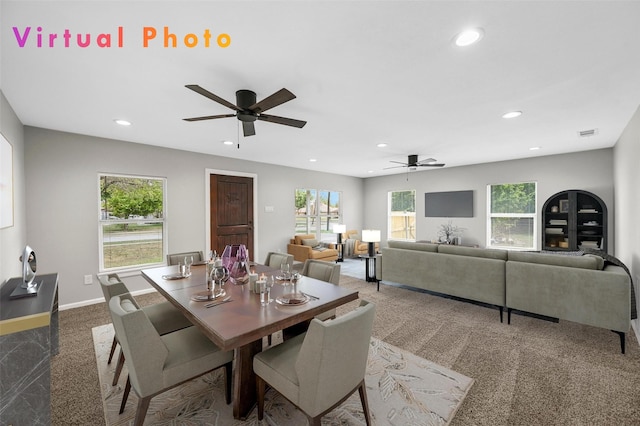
(512, 219)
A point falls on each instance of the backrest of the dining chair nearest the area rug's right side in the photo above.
(333, 358)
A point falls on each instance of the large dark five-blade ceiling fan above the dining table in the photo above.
(247, 110)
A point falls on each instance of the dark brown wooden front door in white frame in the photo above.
(231, 212)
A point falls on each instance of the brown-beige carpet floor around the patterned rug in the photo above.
(531, 372)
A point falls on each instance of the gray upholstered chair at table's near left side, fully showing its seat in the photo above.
(158, 363)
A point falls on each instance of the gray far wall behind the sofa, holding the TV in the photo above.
(588, 170)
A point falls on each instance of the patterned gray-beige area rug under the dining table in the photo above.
(402, 389)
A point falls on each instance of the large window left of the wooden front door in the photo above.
(132, 231)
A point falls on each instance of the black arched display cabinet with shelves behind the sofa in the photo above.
(574, 220)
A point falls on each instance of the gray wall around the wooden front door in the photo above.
(62, 195)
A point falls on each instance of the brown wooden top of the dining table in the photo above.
(243, 319)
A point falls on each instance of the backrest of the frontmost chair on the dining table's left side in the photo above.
(144, 350)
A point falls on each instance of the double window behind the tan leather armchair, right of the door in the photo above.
(317, 211)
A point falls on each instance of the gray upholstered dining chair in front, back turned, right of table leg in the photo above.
(320, 369)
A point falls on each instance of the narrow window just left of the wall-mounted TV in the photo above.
(402, 215)
